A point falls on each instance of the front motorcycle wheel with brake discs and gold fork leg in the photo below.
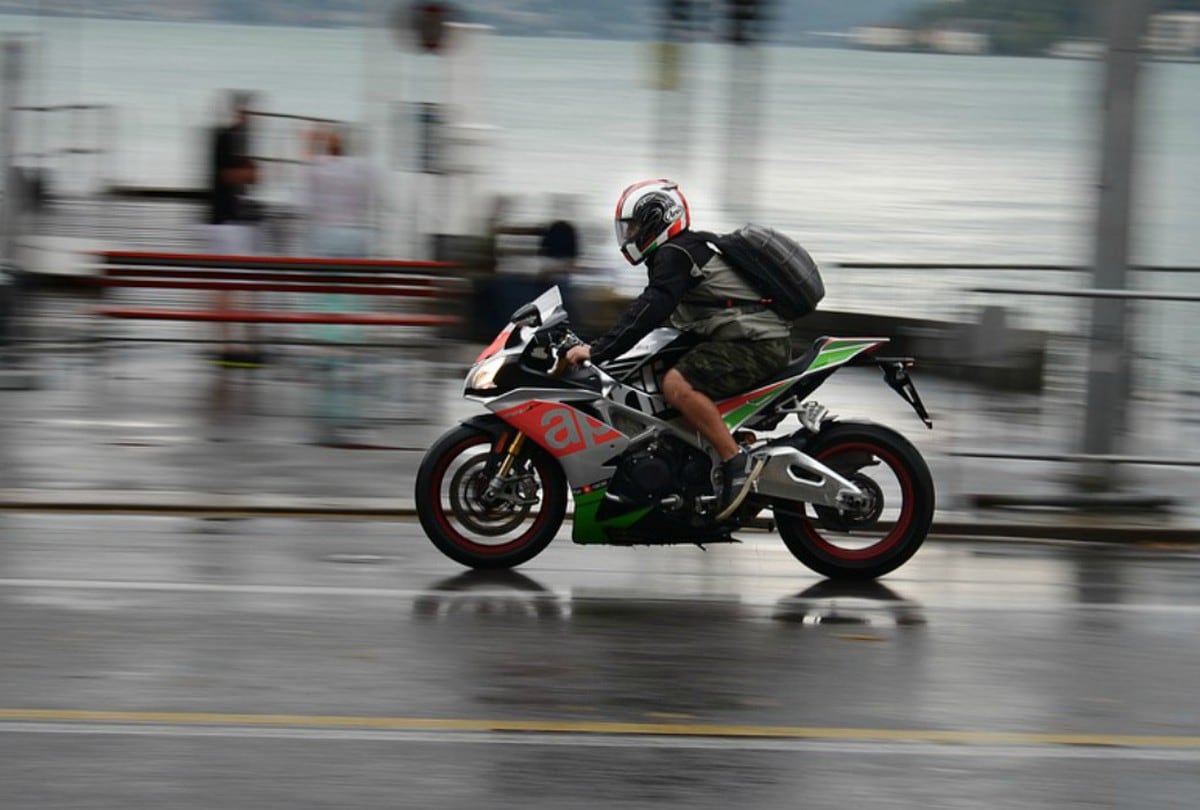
(507, 527)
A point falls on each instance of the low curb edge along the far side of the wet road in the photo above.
(946, 526)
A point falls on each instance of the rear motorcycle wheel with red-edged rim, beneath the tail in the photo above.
(886, 527)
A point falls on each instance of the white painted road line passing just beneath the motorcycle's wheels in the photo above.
(749, 601)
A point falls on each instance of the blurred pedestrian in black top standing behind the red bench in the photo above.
(233, 221)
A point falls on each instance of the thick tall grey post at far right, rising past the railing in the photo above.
(1108, 376)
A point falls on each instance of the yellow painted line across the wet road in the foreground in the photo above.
(962, 737)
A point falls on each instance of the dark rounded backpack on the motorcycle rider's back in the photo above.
(777, 267)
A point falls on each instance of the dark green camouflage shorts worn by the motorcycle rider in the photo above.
(722, 369)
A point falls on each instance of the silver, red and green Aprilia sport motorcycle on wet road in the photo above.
(851, 500)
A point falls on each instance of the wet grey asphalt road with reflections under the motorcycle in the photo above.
(187, 663)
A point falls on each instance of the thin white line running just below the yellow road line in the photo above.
(881, 748)
